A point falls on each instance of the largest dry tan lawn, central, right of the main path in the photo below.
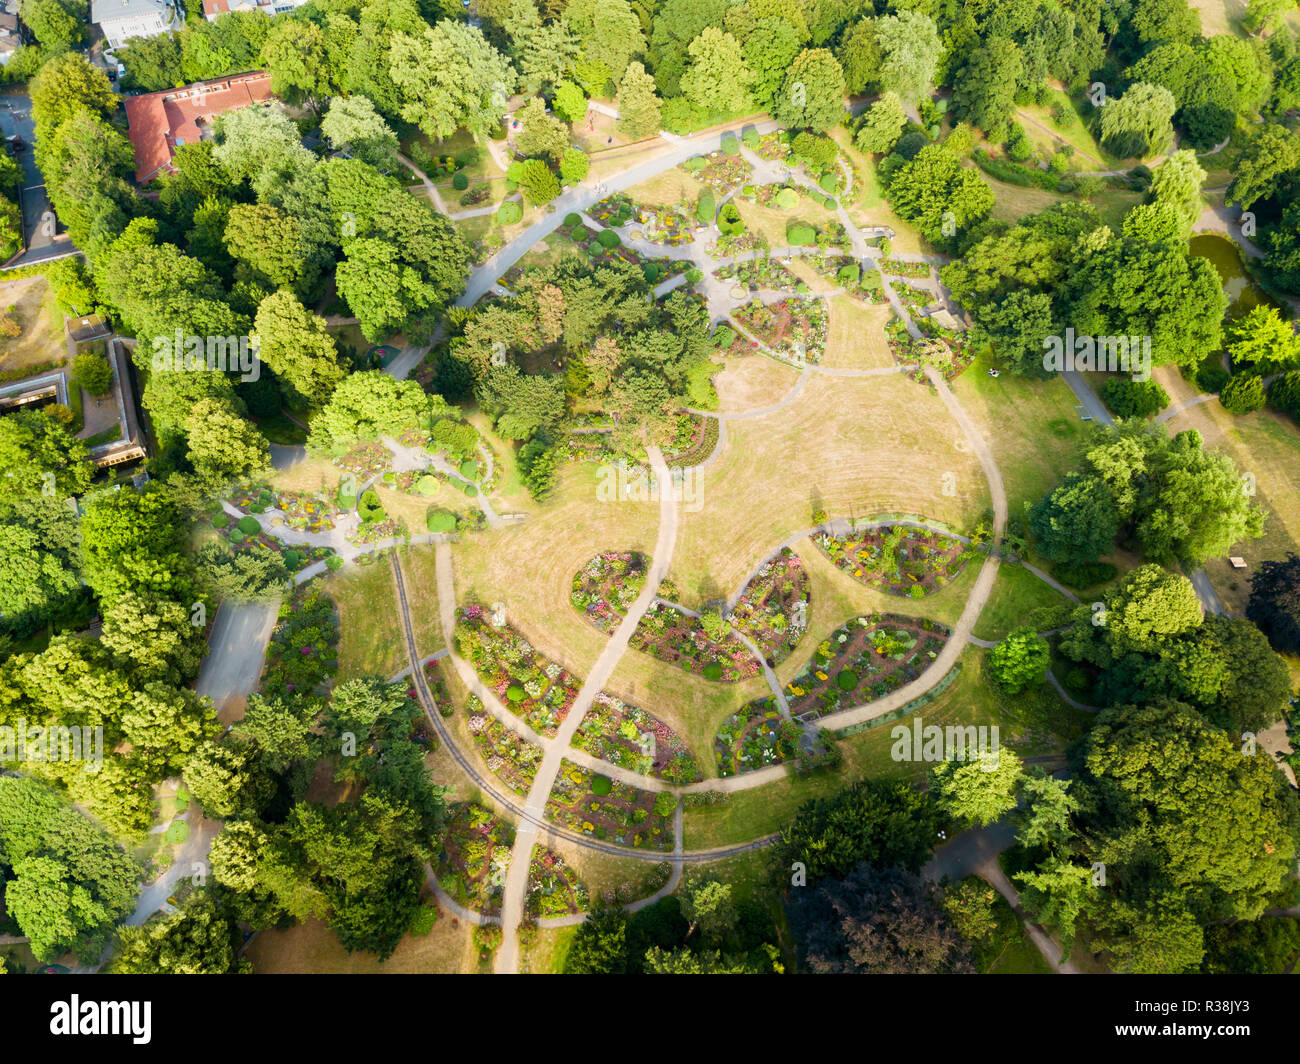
(852, 447)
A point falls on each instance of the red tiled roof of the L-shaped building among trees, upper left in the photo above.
(159, 123)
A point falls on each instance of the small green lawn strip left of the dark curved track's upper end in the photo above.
(371, 638)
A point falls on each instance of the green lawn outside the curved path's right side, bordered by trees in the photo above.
(1030, 426)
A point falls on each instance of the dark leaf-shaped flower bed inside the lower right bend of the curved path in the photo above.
(863, 661)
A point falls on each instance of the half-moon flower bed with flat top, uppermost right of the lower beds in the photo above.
(898, 560)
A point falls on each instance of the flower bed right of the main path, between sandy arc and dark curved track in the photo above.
(612, 811)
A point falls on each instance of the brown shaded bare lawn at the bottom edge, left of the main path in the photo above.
(314, 948)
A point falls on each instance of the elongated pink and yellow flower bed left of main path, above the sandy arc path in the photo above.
(530, 686)
